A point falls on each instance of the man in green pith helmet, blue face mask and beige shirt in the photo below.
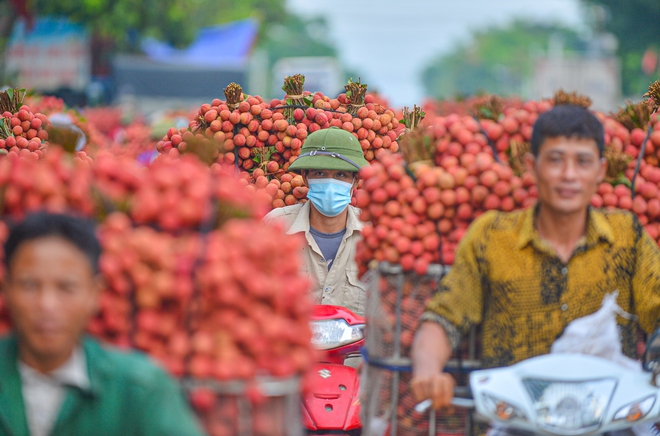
(329, 162)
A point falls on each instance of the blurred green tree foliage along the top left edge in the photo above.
(122, 23)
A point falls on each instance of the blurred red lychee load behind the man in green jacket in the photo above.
(194, 277)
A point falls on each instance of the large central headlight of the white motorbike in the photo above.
(570, 406)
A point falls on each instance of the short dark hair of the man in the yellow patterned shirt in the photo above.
(570, 121)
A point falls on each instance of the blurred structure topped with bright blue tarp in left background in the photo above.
(166, 76)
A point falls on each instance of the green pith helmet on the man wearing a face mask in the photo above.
(330, 149)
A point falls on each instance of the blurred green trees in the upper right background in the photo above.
(501, 60)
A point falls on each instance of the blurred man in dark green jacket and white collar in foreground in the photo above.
(54, 380)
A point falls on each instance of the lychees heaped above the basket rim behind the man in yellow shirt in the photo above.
(455, 167)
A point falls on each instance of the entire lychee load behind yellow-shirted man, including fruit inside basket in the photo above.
(418, 204)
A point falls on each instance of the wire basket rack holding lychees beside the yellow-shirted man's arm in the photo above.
(394, 296)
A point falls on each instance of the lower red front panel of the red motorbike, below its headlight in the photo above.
(333, 397)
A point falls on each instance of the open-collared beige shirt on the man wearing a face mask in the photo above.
(339, 285)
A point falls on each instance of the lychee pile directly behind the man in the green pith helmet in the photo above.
(253, 134)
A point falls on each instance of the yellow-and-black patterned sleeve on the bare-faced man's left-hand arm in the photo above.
(460, 297)
